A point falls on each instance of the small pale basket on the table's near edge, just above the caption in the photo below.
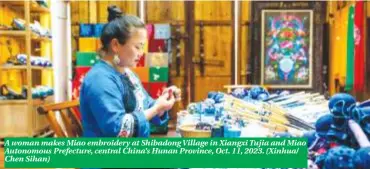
(189, 131)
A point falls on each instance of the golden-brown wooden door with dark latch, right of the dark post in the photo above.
(217, 47)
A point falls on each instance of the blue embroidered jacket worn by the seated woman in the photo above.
(112, 104)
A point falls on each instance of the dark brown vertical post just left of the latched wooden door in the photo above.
(189, 52)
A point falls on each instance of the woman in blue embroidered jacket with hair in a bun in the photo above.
(113, 102)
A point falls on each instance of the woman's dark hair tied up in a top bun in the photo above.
(119, 26)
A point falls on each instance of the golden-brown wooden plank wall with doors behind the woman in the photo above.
(217, 39)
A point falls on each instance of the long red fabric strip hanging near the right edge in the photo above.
(359, 47)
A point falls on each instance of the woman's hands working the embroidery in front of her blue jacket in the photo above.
(164, 103)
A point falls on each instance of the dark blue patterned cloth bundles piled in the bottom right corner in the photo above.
(340, 139)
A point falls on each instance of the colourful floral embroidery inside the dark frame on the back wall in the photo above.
(286, 48)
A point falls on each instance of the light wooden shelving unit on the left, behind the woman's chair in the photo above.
(20, 117)
